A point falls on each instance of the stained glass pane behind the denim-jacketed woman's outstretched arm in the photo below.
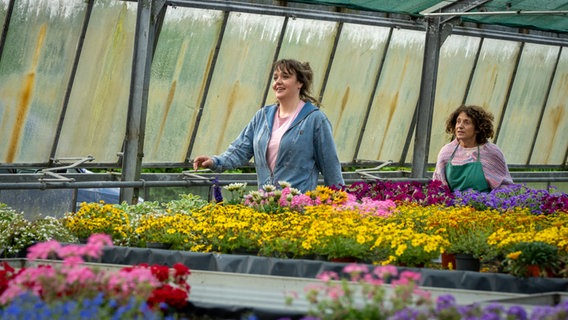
(240, 77)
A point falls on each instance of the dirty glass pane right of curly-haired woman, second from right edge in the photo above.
(525, 105)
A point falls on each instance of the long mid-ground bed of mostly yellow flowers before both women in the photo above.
(402, 223)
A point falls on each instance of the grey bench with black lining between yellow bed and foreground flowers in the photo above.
(235, 285)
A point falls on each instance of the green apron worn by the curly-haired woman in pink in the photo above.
(466, 176)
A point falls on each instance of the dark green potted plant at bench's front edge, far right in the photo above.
(535, 259)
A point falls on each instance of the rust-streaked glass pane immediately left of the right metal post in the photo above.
(395, 98)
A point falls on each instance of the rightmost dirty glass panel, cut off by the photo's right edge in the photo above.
(552, 140)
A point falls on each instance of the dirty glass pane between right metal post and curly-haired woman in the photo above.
(457, 58)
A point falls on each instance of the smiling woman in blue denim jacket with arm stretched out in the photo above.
(291, 141)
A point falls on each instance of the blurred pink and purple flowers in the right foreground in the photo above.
(382, 293)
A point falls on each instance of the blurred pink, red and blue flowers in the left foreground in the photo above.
(72, 289)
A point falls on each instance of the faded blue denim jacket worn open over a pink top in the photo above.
(306, 149)
